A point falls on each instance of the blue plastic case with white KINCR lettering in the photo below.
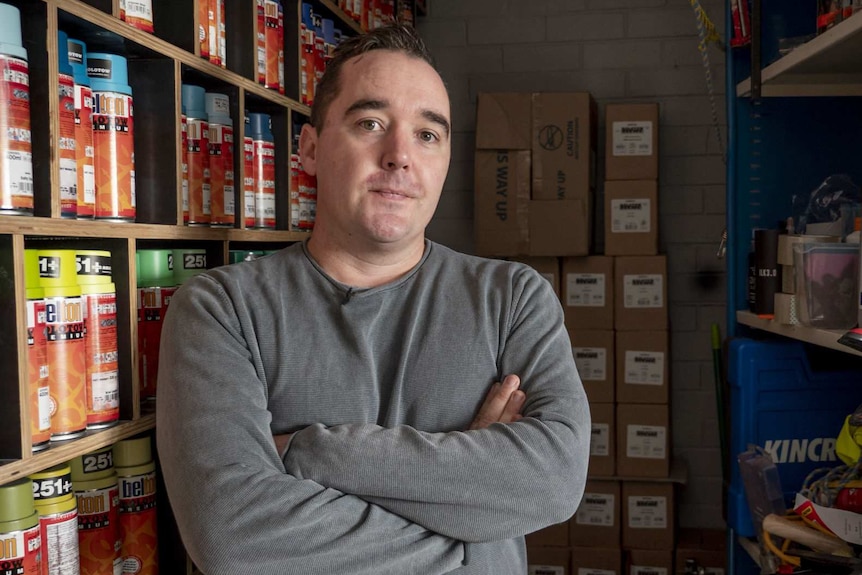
(778, 402)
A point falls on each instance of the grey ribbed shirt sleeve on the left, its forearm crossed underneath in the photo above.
(236, 508)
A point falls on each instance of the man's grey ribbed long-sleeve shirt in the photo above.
(377, 386)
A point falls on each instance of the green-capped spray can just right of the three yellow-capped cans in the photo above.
(156, 287)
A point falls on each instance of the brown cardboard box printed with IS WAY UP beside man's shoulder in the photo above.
(502, 197)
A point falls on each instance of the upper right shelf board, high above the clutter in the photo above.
(802, 71)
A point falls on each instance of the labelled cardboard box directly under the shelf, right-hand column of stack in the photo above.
(648, 516)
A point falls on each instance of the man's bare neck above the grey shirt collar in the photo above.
(364, 268)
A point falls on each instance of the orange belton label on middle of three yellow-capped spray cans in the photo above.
(64, 318)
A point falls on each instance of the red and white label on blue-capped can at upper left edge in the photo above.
(16, 149)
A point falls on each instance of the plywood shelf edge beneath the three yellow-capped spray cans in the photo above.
(62, 451)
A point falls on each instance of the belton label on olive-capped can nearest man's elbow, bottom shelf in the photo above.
(138, 523)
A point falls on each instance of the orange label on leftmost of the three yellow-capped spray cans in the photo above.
(37, 374)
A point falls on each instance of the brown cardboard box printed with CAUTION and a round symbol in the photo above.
(564, 146)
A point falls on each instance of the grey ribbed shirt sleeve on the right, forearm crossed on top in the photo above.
(482, 485)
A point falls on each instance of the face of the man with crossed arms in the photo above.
(382, 154)
